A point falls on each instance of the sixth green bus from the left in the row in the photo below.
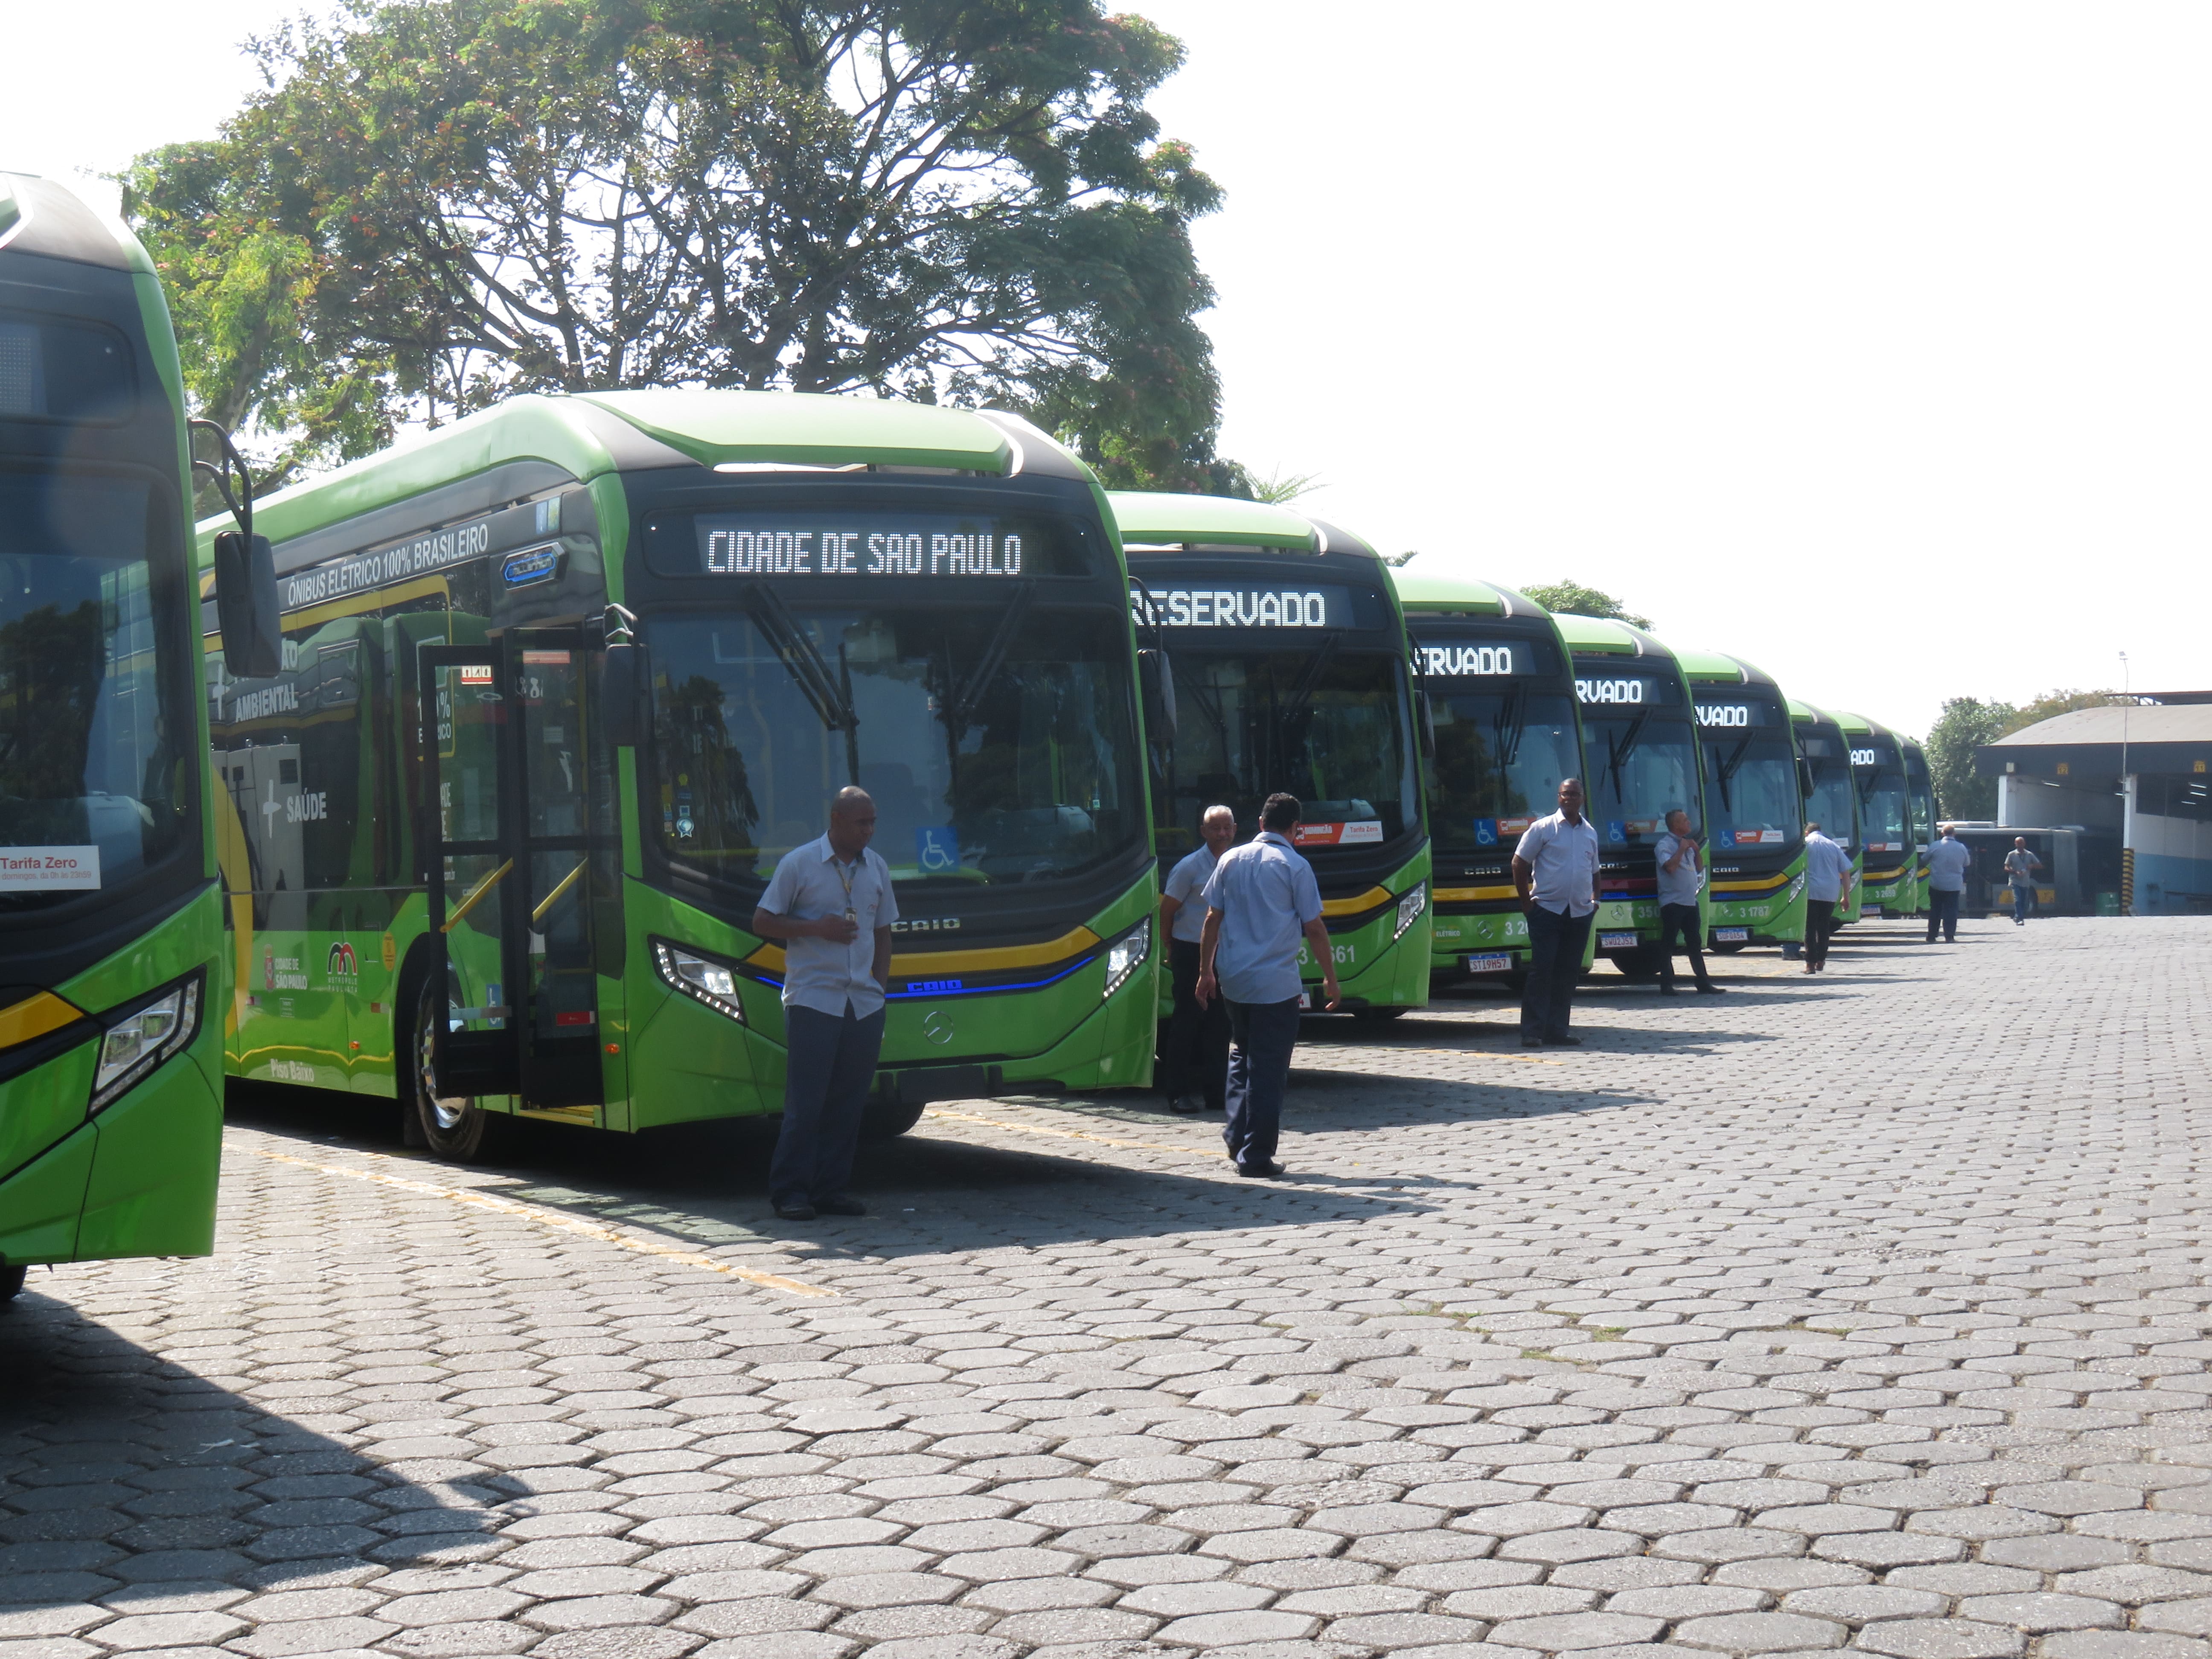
(1757, 804)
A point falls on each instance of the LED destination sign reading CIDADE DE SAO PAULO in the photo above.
(910, 545)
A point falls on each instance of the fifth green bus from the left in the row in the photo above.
(1642, 751)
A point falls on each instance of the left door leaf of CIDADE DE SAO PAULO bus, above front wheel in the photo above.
(474, 890)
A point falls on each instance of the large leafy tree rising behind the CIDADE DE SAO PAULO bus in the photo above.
(441, 205)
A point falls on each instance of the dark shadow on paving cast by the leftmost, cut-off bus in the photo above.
(129, 1479)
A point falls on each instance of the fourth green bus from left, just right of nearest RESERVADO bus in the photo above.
(1501, 700)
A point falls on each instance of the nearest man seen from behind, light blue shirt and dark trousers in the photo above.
(1262, 899)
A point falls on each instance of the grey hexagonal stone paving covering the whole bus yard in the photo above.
(1855, 1313)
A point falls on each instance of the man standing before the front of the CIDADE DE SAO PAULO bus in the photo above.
(831, 904)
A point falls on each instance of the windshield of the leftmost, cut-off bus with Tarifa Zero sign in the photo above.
(96, 735)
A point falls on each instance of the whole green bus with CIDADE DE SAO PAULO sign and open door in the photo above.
(565, 680)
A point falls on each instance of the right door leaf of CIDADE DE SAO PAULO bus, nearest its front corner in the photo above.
(563, 875)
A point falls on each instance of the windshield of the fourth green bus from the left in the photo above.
(1501, 755)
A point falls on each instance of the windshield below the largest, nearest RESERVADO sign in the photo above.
(1255, 722)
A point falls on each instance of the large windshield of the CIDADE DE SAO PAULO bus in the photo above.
(997, 749)
